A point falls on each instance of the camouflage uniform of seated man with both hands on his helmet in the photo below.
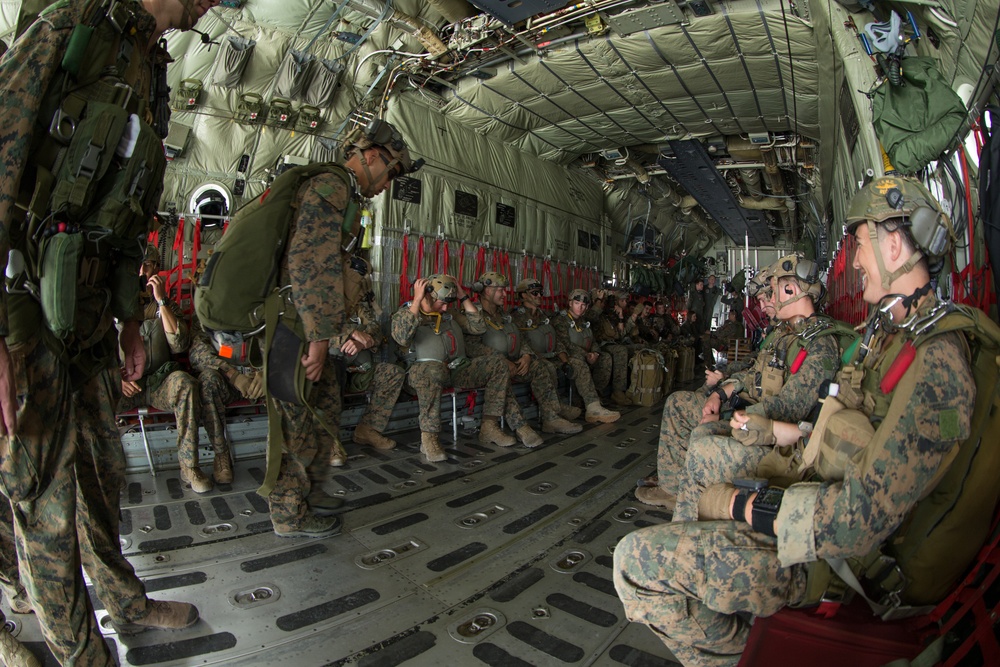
(428, 378)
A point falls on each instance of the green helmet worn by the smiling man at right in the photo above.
(907, 198)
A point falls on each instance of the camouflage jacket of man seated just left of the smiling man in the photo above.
(799, 392)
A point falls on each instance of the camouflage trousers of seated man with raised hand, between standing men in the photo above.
(180, 394)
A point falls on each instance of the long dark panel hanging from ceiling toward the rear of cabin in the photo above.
(692, 167)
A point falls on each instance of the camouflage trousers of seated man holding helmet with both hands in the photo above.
(428, 378)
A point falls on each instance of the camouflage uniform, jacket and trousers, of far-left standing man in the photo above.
(64, 476)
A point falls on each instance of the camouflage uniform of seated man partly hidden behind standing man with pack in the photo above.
(386, 380)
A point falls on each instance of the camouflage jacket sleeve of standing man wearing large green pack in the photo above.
(312, 264)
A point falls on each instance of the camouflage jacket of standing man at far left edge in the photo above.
(26, 72)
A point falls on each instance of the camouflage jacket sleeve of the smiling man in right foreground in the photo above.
(929, 413)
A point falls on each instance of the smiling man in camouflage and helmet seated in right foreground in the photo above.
(696, 584)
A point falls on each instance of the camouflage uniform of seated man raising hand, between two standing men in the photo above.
(178, 392)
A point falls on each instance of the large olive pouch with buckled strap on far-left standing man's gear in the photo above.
(88, 158)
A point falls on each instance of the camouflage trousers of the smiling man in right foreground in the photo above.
(696, 586)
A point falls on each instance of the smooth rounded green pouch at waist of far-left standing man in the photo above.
(59, 268)
